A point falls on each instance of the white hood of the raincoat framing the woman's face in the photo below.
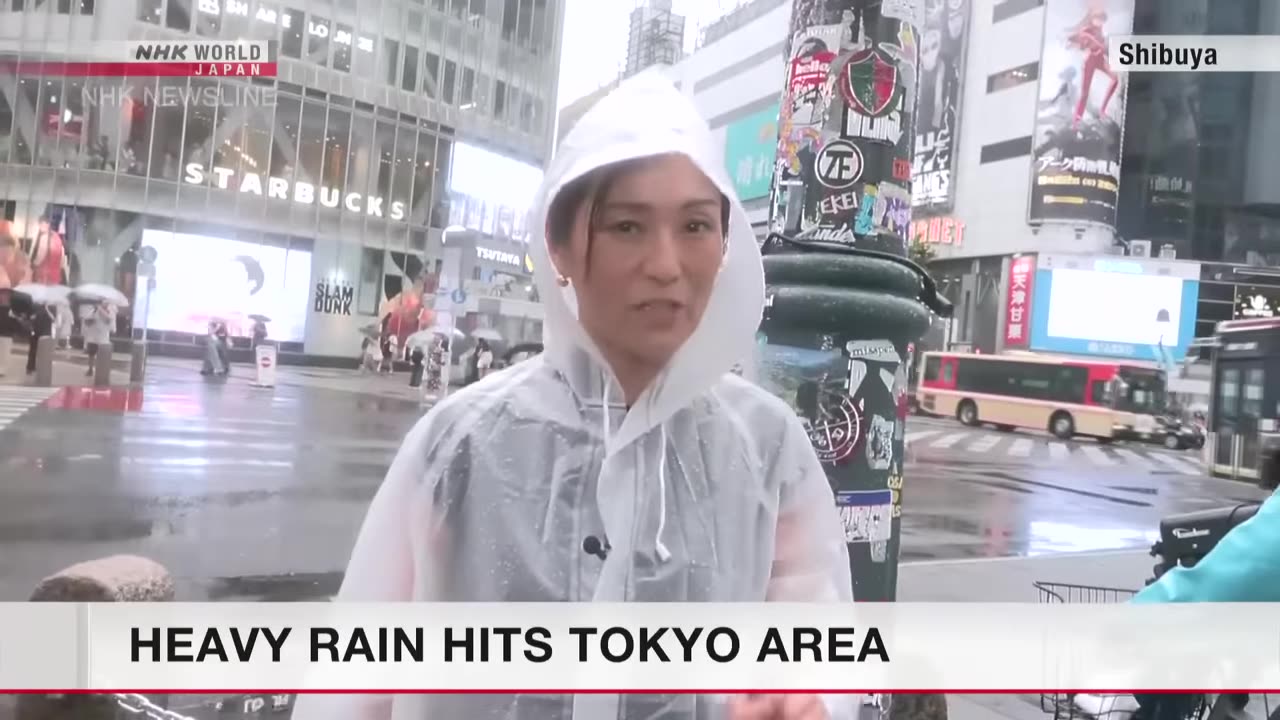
(646, 116)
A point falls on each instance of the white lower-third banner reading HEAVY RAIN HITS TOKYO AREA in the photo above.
(634, 648)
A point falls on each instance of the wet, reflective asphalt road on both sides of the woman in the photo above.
(250, 494)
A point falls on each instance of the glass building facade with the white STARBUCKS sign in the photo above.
(318, 198)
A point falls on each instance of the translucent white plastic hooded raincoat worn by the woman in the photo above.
(707, 489)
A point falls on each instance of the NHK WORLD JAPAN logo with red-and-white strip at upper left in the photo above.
(166, 58)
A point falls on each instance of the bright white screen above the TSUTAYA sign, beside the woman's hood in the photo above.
(492, 194)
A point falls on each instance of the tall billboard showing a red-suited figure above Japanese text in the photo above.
(1076, 158)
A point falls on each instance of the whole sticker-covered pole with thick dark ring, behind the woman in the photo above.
(845, 307)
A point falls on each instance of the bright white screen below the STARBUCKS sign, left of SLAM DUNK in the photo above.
(203, 279)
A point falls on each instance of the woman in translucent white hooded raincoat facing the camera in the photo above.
(629, 427)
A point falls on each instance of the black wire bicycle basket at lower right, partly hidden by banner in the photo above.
(1107, 707)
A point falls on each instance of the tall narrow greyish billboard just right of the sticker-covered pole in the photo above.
(944, 40)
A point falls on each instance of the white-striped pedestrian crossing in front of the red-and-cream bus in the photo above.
(1116, 457)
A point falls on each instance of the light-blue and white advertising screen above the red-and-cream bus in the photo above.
(1107, 315)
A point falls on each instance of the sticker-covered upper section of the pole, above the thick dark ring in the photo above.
(847, 129)
